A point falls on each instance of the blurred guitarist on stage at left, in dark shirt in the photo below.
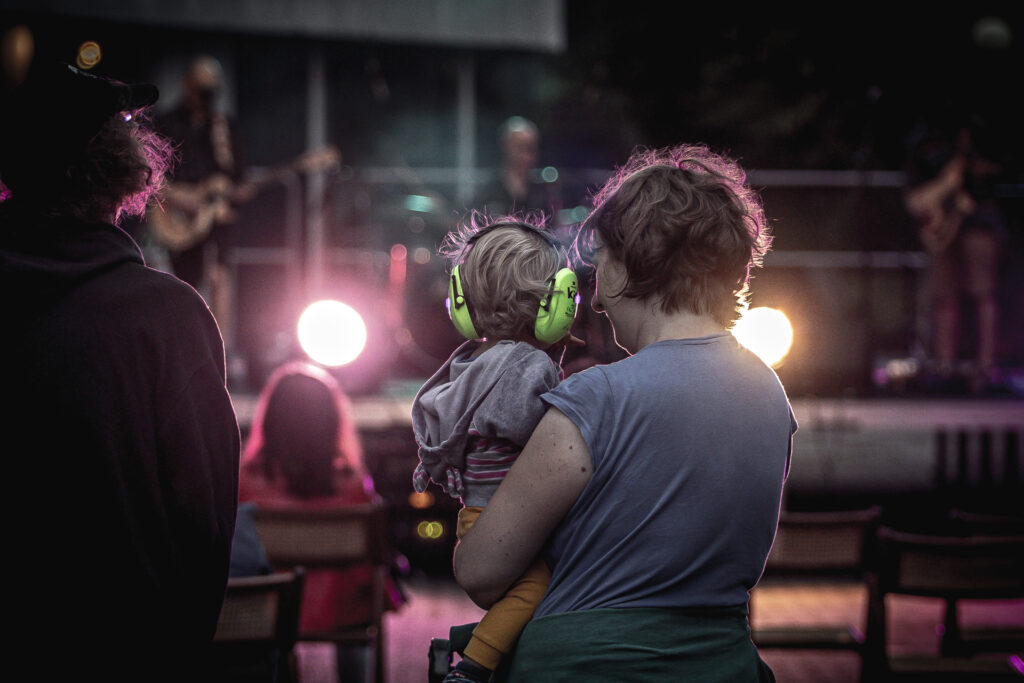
(207, 179)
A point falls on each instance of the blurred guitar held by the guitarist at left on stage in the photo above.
(189, 211)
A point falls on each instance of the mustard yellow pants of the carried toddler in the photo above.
(500, 628)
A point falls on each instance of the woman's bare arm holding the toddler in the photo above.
(543, 485)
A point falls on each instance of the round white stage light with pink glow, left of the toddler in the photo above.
(332, 333)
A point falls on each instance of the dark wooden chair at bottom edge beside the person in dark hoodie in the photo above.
(258, 629)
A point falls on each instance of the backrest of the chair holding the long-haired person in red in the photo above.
(326, 539)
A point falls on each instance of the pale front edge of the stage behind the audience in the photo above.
(843, 447)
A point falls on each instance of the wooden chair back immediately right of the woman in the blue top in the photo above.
(823, 543)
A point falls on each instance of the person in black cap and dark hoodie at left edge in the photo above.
(122, 445)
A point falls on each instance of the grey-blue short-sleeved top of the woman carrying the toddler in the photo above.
(691, 443)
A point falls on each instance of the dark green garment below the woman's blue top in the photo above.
(639, 645)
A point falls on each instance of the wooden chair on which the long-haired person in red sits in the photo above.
(336, 539)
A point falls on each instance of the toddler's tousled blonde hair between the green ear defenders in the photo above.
(505, 266)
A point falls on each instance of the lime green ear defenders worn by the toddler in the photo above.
(556, 313)
